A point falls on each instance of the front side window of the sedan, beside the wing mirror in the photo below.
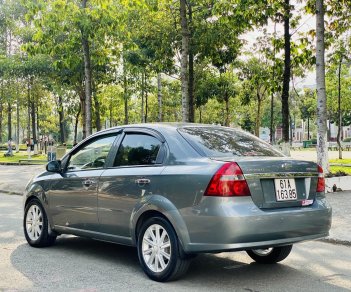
(92, 155)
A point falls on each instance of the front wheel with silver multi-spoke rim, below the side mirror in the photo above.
(35, 225)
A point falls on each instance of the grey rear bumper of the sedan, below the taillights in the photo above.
(228, 224)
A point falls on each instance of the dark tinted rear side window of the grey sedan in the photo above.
(137, 149)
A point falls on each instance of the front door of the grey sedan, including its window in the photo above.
(73, 193)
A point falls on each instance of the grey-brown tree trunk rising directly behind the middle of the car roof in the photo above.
(184, 61)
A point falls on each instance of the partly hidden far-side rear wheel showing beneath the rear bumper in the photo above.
(270, 255)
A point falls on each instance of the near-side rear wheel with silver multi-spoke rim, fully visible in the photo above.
(159, 251)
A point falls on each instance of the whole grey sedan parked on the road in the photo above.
(176, 190)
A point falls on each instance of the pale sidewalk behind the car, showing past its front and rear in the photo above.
(13, 180)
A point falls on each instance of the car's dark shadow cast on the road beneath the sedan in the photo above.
(79, 263)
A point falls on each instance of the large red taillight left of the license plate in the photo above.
(228, 181)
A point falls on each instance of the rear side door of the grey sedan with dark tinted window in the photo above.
(133, 174)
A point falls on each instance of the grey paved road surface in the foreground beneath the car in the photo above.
(78, 264)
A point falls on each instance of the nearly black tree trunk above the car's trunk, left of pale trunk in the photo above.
(286, 76)
